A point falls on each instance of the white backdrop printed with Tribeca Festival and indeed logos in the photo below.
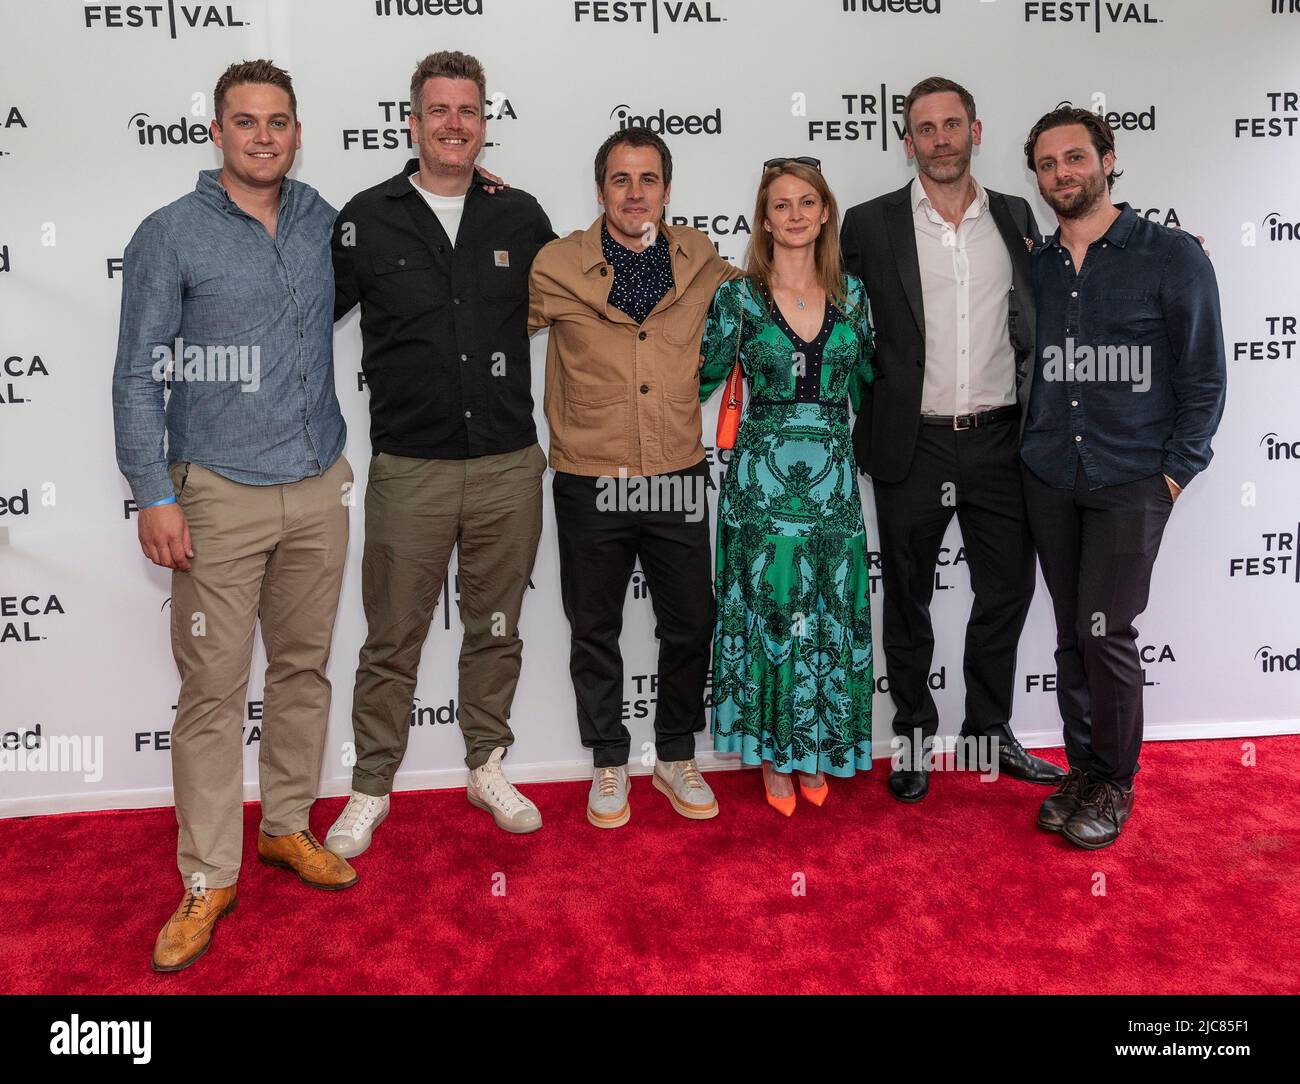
(103, 119)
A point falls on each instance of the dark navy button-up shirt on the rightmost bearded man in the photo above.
(1130, 368)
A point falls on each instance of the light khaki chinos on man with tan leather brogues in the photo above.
(261, 553)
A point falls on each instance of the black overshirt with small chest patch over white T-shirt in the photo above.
(444, 328)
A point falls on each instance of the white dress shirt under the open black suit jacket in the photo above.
(965, 288)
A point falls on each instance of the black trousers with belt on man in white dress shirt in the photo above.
(976, 475)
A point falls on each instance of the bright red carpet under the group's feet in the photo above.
(957, 895)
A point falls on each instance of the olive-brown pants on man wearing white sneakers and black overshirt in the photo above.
(417, 511)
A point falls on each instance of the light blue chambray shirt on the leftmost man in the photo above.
(252, 311)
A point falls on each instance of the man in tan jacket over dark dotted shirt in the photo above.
(626, 303)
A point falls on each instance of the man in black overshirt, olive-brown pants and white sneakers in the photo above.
(440, 267)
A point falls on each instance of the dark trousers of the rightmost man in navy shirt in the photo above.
(1098, 550)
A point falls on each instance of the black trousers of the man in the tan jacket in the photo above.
(599, 549)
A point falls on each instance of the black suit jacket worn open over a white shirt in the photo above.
(881, 248)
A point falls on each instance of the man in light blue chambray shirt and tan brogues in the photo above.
(229, 296)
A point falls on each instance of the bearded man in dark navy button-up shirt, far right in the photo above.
(1128, 393)
